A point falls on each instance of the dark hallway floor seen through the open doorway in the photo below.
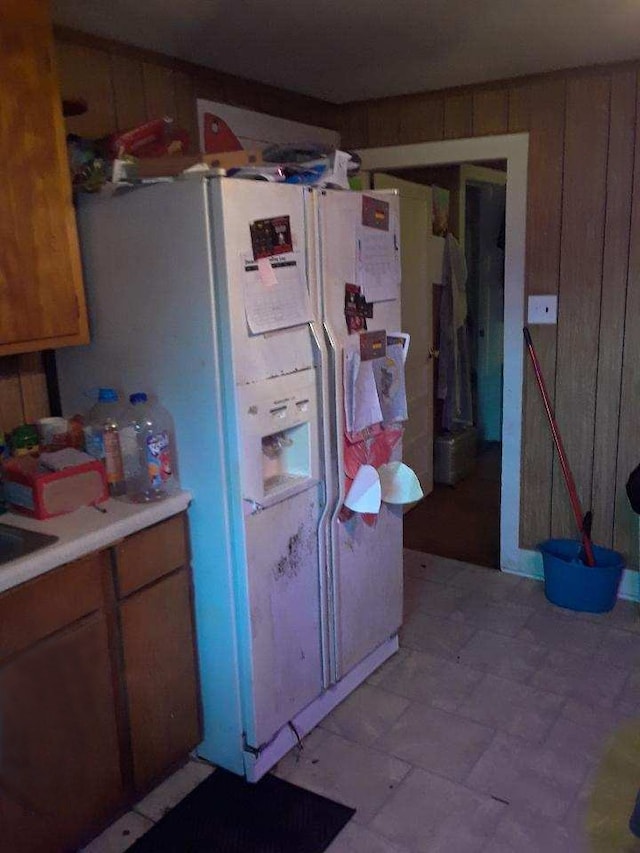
(461, 522)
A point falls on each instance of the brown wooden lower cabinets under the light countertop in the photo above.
(99, 695)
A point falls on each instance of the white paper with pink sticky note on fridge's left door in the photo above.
(276, 298)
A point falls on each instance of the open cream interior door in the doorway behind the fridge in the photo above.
(417, 310)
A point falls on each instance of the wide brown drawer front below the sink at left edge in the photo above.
(35, 609)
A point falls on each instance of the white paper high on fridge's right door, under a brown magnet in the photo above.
(377, 264)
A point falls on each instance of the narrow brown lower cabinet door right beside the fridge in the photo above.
(160, 676)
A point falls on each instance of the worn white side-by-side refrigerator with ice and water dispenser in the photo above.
(226, 299)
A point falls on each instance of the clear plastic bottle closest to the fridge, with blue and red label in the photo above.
(148, 442)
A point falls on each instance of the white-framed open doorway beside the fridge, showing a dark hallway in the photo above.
(445, 210)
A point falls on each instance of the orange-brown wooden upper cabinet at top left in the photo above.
(42, 302)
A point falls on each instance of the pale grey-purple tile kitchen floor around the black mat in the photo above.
(482, 734)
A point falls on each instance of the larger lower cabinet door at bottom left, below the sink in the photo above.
(59, 750)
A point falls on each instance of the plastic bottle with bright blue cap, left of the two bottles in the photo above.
(102, 439)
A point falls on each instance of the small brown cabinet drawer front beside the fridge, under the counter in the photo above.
(150, 554)
